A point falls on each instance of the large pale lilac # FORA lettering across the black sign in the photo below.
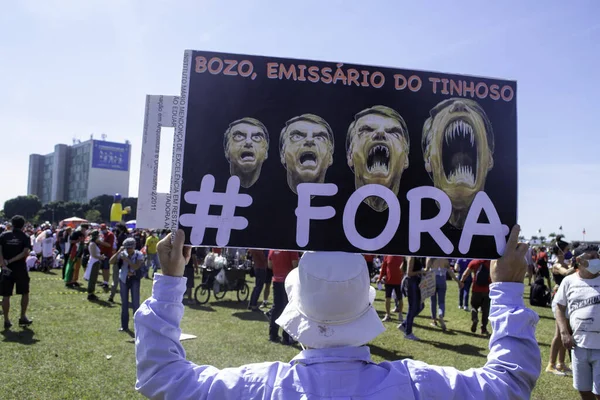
(305, 212)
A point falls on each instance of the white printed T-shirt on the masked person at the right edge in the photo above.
(582, 299)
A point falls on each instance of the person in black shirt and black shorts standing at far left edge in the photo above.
(15, 246)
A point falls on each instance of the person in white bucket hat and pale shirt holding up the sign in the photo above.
(330, 313)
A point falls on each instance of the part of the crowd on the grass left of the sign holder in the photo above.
(131, 254)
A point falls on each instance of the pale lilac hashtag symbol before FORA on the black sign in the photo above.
(224, 223)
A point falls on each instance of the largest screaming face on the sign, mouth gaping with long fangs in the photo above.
(458, 147)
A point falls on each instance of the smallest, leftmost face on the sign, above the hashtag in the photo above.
(246, 144)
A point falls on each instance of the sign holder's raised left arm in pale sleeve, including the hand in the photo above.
(162, 369)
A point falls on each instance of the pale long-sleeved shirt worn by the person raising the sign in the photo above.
(511, 371)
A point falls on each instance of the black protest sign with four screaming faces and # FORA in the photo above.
(306, 155)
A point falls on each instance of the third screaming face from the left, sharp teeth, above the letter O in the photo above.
(377, 148)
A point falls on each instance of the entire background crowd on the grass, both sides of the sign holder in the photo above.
(123, 258)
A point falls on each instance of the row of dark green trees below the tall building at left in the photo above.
(97, 210)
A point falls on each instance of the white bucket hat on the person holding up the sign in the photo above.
(330, 301)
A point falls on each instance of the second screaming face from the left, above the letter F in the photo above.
(306, 149)
